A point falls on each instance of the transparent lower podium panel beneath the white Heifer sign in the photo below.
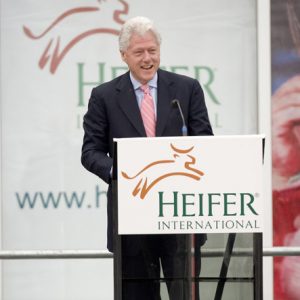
(189, 267)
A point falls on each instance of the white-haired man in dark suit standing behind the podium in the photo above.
(117, 110)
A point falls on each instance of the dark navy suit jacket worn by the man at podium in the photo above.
(113, 112)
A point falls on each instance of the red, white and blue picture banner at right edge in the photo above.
(286, 143)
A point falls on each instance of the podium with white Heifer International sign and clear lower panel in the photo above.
(188, 217)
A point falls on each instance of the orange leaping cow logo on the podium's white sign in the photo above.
(182, 164)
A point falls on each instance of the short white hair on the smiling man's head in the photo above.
(137, 25)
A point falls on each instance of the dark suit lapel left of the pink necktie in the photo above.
(128, 103)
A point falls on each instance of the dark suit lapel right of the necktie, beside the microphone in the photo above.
(165, 95)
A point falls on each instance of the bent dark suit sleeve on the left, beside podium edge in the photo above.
(94, 156)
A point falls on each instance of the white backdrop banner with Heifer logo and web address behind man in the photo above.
(52, 54)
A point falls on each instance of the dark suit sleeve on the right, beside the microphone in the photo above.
(198, 119)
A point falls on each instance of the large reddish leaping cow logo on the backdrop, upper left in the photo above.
(58, 42)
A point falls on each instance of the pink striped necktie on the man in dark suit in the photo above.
(147, 111)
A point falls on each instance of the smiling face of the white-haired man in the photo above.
(142, 56)
